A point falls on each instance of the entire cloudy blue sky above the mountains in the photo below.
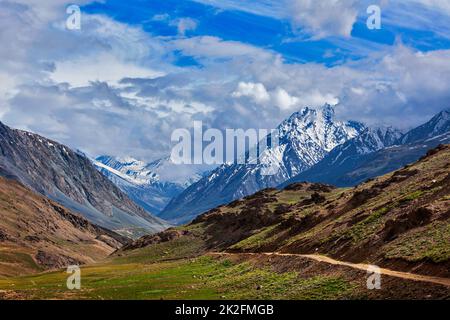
(139, 69)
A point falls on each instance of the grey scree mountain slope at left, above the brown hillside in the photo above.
(69, 178)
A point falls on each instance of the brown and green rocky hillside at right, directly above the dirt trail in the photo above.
(399, 221)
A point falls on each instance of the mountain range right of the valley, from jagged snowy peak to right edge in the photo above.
(313, 147)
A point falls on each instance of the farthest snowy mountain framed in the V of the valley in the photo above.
(151, 185)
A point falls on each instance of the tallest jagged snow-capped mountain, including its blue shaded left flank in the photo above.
(304, 139)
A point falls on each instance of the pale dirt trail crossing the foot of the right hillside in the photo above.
(359, 266)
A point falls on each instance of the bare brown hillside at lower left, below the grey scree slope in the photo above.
(38, 234)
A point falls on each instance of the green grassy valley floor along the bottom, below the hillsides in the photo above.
(159, 275)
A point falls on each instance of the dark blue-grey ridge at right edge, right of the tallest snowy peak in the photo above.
(373, 154)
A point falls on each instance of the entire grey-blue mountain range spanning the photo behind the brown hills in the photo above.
(121, 194)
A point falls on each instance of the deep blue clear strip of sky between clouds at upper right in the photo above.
(271, 32)
